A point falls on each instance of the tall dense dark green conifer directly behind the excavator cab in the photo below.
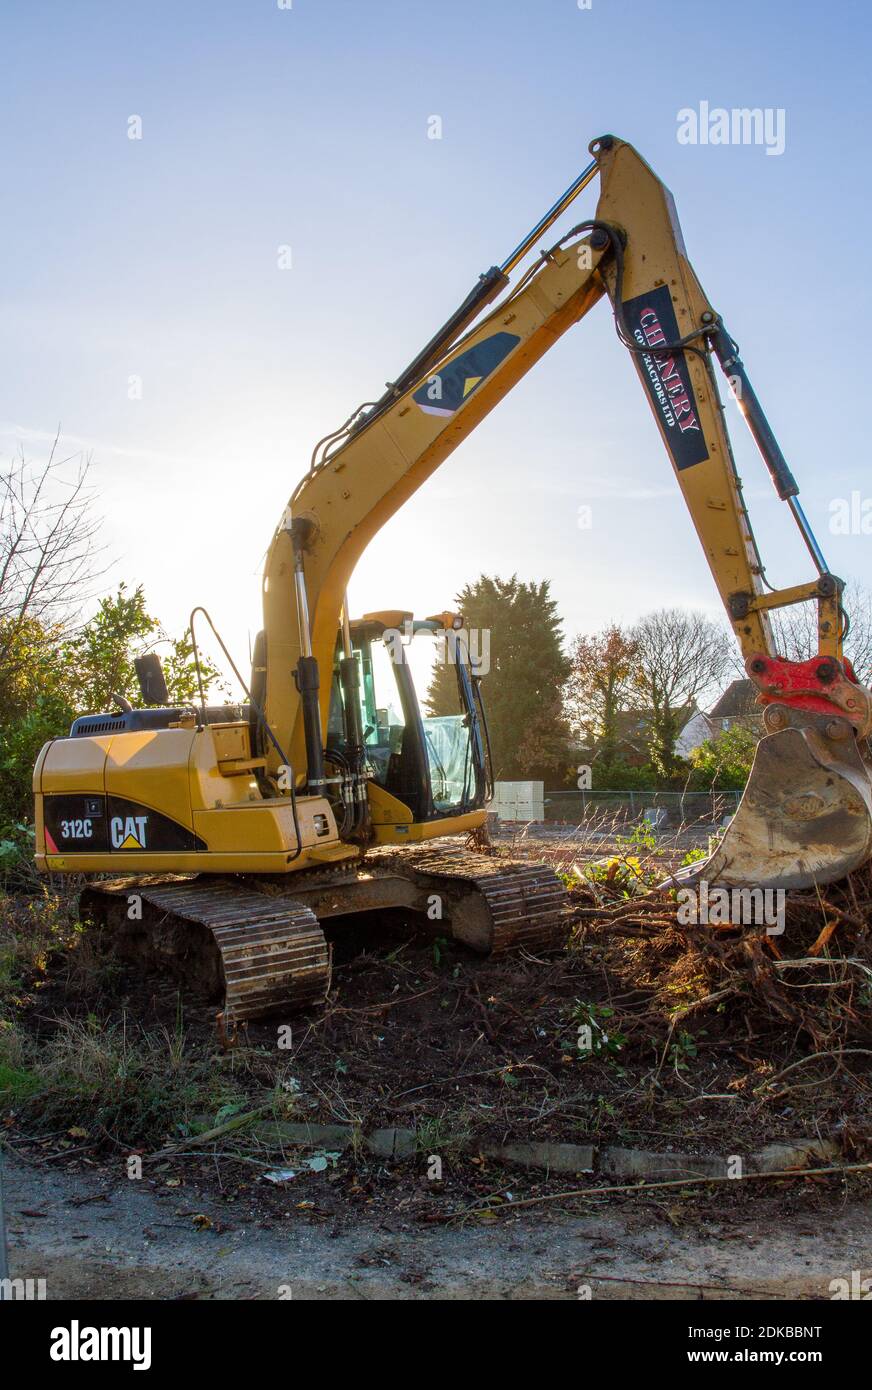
(521, 630)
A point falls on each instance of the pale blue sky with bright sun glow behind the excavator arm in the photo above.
(308, 127)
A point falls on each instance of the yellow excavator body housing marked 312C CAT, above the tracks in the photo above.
(186, 801)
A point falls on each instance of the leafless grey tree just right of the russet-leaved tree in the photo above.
(679, 658)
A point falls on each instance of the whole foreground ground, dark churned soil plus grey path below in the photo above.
(703, 1043)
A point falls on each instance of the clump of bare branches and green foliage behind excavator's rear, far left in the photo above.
(54, 665)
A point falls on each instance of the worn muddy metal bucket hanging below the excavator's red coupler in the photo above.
(806, 817)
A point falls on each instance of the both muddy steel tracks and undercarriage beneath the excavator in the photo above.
(259, 942)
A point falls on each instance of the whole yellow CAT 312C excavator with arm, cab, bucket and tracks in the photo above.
(332, 792)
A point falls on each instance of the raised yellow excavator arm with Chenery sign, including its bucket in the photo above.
(817, 794)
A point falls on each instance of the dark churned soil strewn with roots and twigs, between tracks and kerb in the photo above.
(423, 1035)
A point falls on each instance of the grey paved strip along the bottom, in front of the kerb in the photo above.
(91, 1236)
